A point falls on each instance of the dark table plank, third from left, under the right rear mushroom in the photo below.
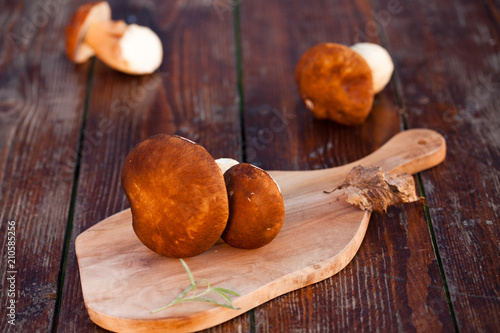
(393, 283)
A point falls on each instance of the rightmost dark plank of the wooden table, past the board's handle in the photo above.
(449, 74)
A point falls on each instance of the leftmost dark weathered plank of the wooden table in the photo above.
(41, 108)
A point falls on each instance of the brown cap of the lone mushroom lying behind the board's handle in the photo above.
(335, 83)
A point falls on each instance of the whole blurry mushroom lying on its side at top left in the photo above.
(131, 49)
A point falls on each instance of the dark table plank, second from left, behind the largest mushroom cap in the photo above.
(194, 94)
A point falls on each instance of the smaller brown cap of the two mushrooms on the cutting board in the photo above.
(256, 208)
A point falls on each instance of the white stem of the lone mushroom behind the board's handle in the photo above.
(379, 61)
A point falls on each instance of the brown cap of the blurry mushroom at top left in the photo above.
(76, 49)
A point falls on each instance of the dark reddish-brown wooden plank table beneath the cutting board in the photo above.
(227, 82)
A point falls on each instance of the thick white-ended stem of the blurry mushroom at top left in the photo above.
(131, 48)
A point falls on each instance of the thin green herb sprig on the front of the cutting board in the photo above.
(189, 294)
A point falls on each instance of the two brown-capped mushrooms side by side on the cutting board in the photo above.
(183, 201)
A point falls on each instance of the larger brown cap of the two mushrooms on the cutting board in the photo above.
(177, 196)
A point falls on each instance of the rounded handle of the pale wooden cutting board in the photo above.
(410, 151)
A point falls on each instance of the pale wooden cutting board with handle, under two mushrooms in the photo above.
(122, 280)
